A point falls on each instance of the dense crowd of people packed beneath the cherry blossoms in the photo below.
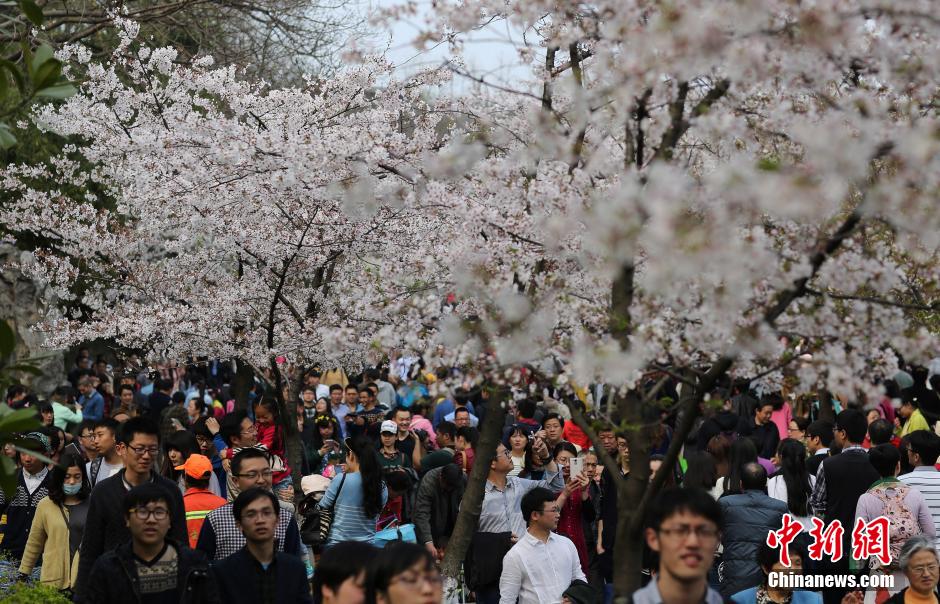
(164, 488)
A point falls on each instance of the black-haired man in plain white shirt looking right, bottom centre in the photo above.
(542, 564)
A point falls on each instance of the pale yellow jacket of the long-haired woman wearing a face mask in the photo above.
(49, 538)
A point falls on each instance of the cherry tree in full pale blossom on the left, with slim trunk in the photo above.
(244, 223)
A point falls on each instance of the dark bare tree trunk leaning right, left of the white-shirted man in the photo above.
(472, 501)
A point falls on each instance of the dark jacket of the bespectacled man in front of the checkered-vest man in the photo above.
(239, 579)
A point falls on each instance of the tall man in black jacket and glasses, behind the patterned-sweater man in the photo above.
(105, 527)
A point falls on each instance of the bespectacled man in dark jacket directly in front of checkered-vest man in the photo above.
(258, 573)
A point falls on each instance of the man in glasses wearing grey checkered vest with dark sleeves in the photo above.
(220, 536)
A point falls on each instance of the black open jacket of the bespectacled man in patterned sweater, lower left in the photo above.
(114, 578)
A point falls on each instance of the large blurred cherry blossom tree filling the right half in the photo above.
(687, 192)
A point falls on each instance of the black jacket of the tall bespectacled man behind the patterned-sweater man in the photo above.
(105, 528)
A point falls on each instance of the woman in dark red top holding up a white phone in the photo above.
(576, 507)
